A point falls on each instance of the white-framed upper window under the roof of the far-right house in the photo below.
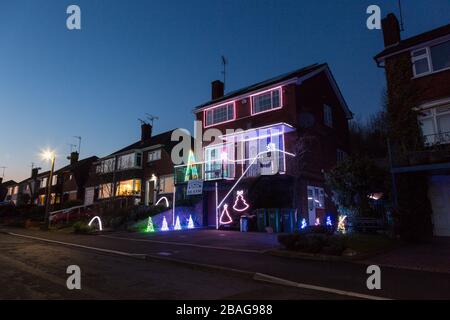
(431, 59)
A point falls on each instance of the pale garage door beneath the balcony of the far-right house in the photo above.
(439, 195)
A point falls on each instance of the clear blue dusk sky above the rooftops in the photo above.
(133, 57)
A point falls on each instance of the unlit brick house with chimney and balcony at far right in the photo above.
(428, 72)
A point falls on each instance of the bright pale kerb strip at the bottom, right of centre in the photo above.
(271, 279)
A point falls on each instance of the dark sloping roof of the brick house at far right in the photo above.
(414, 41)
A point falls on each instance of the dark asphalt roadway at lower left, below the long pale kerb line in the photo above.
(37, 270)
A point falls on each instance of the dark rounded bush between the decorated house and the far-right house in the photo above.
(352, 181)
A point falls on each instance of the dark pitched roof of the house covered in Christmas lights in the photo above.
(296, 73)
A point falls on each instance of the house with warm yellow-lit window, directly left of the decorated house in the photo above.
(142, 171)
